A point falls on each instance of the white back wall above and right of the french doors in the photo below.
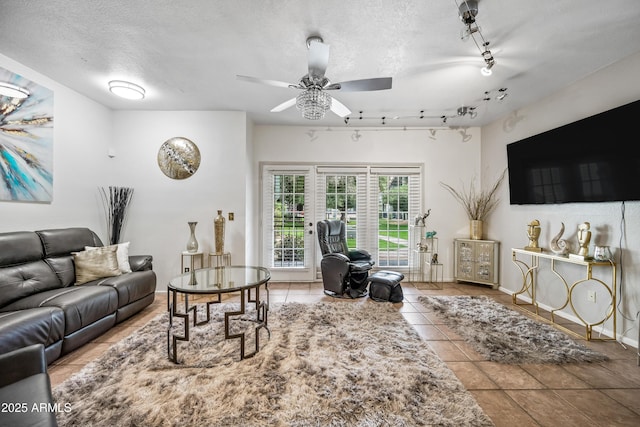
(447, 159)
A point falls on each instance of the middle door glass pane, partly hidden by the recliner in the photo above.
(340, 203)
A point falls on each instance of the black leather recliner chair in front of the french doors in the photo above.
(344, 272)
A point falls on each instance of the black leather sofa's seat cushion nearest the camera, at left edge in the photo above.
(43, 325)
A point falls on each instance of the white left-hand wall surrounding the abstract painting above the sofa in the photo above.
(82, 132)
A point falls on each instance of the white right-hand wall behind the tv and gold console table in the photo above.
(611, 87)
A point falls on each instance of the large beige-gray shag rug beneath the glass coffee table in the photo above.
(325, 364)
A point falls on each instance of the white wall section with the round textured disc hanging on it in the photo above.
(161, 206)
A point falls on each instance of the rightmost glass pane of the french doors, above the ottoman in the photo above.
(393, 220)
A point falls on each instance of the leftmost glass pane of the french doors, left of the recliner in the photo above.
(288, 221)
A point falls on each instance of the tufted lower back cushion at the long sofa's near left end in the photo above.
(20, 281)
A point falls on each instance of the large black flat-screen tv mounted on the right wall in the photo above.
(590, 160)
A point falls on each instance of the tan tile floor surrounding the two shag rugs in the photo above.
(603, 394)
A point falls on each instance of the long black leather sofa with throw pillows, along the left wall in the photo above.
(40, 303)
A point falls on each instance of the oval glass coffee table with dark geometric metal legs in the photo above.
(247, 280)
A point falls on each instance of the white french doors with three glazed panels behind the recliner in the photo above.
(376, 204)
